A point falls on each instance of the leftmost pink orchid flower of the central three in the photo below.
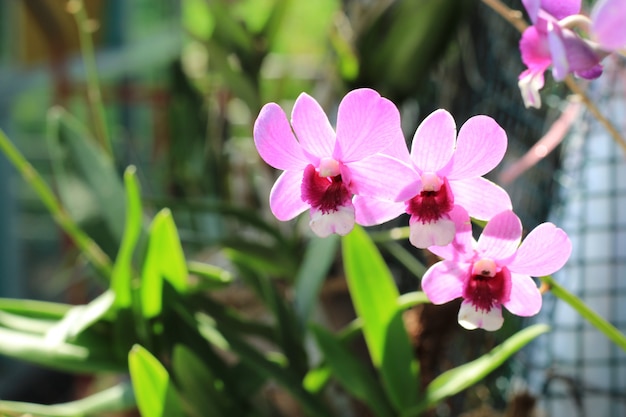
(324, 168)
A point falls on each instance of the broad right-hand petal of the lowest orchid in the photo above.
(543, 252)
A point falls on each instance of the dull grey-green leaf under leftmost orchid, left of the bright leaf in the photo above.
(318, 259)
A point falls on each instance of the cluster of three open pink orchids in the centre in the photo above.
(362, 172)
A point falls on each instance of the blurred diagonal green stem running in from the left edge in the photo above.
(60, 215)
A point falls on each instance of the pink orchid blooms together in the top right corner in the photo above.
(551, 41)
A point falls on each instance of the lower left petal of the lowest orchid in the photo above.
(443, 281)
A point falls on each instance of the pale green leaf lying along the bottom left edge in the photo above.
(117, 398)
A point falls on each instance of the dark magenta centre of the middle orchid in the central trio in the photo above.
(434, 200)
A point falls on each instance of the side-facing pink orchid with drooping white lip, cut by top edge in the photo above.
(550, 42)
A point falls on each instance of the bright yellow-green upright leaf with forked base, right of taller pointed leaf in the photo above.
(164, 260)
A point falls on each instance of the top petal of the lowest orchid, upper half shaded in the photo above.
(500, 238)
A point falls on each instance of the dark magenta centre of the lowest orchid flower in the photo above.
(487, 285)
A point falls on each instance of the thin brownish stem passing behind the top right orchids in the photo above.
(515, 17)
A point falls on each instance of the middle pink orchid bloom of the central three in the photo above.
(447, 174)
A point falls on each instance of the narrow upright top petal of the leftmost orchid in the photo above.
(312, 127)
